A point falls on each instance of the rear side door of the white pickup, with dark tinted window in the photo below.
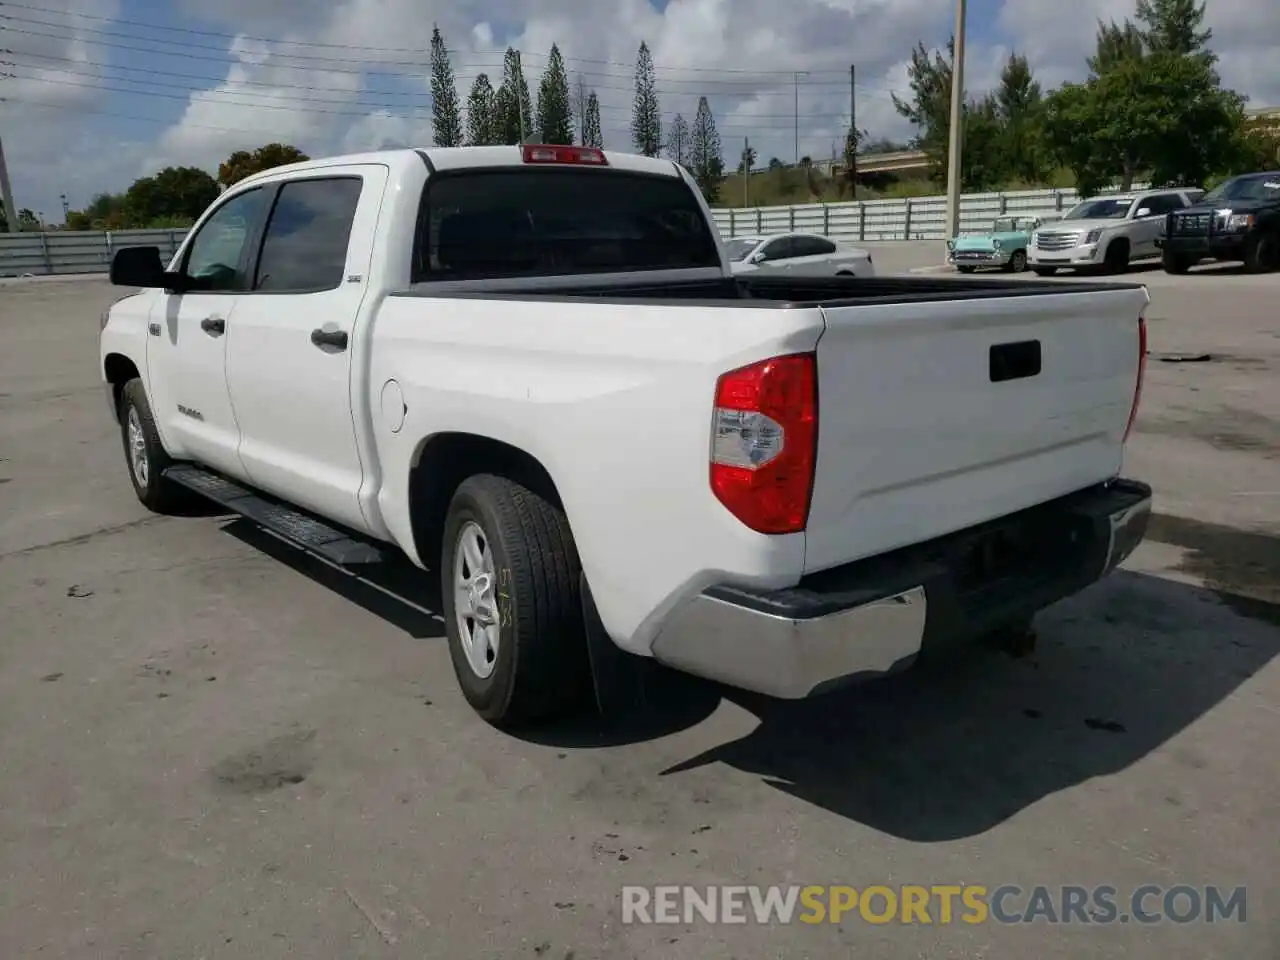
(290, 362)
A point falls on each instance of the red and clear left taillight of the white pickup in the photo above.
(765, 438)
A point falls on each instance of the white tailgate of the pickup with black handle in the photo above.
(940, 415)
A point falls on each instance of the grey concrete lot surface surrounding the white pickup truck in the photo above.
(213, 747)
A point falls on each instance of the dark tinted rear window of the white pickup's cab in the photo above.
(557, 222)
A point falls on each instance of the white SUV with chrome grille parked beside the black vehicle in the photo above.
(1107, 232)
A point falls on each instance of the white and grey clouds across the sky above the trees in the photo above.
(740, 53)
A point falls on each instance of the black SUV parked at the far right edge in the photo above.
(1240, 220)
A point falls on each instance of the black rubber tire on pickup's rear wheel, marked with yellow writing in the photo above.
(541, 669)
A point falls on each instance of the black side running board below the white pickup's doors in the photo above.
(287, 523)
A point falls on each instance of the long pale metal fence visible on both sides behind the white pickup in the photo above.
(920, 218)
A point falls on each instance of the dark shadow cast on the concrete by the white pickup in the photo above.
(953, 749)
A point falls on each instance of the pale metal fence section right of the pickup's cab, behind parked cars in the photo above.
(918, 218)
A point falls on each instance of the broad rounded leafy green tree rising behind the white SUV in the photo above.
(1164, 115)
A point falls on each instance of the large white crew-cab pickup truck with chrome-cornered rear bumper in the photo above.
(531, 371)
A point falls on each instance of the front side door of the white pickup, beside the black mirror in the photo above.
(190, 332)
